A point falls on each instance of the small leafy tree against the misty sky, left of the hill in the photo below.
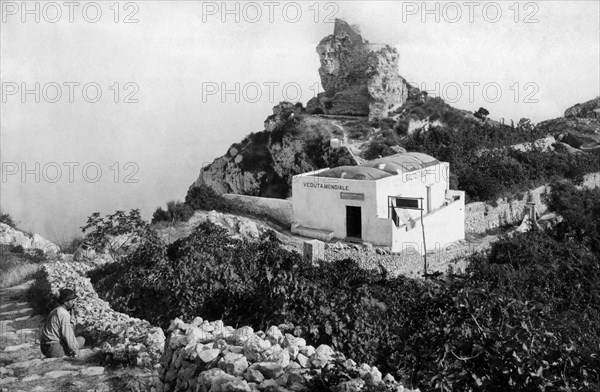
(119, 234)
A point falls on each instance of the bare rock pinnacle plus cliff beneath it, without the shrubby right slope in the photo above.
(362, 86)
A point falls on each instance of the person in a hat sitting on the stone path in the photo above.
(58, 338)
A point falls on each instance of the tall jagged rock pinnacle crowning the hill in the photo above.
(359, 78)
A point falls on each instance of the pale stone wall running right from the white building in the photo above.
(481, 216)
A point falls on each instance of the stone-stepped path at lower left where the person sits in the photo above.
(24, 368)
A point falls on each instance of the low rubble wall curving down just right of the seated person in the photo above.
(122, 338)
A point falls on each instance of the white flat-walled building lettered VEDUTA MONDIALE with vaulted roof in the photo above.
(383, 202)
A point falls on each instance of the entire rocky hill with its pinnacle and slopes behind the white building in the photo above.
(368, 111)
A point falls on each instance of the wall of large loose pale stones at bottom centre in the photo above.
(207, 356)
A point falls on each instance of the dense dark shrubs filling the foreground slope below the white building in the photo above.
(526, 318)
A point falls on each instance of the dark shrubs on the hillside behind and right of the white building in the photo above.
(483, 168)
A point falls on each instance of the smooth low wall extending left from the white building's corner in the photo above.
(279, 210)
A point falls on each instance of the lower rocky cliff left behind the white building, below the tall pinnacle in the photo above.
(264, 163)
